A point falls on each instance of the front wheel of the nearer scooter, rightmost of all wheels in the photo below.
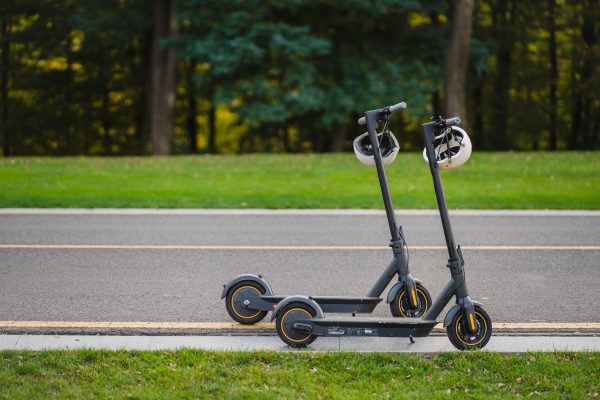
(461, 339)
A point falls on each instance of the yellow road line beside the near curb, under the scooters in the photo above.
(259, 326)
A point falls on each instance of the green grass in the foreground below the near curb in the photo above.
(270, 375)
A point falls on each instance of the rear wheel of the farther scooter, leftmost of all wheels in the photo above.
(234, 302)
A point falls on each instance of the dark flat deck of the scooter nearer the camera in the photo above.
(382, 327)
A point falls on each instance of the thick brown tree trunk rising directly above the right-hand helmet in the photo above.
(457, 60)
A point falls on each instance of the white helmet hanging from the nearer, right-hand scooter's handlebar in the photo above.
(452, 148)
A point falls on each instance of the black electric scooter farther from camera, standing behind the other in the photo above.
(248, 298)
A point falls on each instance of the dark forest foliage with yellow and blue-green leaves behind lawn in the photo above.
(292, 76)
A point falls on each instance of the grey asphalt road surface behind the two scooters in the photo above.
(185, 285)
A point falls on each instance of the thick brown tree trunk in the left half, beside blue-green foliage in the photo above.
(162, 92)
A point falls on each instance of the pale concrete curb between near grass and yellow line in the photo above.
(435, 344)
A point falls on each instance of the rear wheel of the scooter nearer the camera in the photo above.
(289, 314)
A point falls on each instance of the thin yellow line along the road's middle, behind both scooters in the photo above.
(279, 248)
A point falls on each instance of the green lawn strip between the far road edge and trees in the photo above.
(563, 180)
